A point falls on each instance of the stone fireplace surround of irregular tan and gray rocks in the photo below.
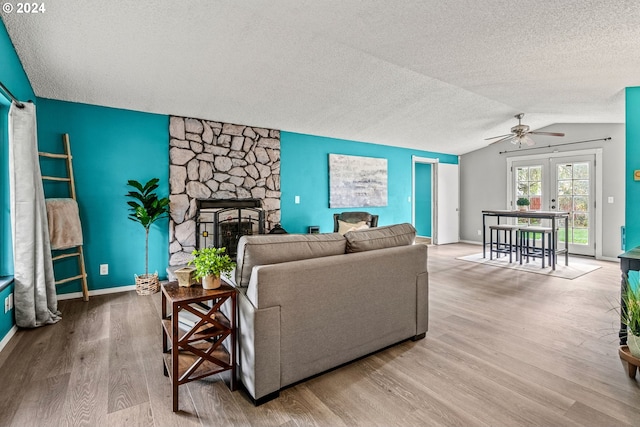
(215, 160)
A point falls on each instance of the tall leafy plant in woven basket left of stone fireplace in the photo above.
(146, 208)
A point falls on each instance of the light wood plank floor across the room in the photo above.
(504, 348)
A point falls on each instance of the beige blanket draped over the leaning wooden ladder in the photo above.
(65, 230)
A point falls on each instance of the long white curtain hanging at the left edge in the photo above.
(35, 290)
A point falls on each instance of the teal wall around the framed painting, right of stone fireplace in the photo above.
(305, 173)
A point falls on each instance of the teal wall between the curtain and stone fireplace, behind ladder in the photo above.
(109, 147)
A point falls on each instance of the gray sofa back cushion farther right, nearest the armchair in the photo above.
(380, 237)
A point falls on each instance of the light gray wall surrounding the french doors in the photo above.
(483, 178)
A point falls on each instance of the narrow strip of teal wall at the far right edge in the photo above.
(632, 196)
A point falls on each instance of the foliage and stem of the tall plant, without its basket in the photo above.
(146, 208)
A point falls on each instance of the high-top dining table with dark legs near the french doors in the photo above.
(554, 216)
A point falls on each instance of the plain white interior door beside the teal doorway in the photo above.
(446, 221)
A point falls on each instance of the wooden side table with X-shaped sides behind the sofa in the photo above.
(193, 334)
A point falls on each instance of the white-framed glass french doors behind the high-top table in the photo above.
(562, 183)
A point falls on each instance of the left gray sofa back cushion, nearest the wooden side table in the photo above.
(276, 248)
